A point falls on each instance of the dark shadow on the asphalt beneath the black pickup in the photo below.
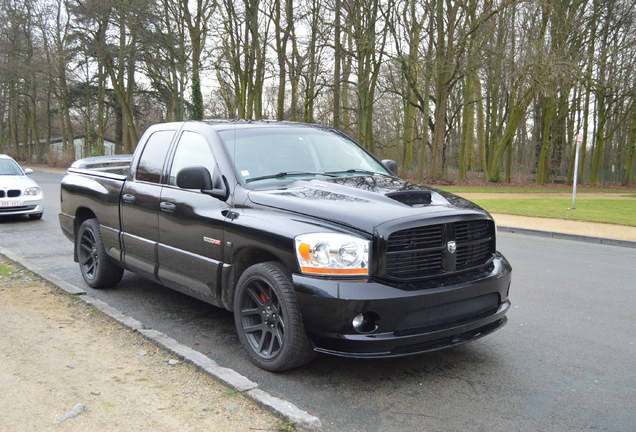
(211, 331)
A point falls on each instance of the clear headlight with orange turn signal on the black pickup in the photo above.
(332, 254)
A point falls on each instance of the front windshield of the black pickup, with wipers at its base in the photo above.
(279, 153)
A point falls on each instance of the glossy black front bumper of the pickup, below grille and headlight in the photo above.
(411, 318)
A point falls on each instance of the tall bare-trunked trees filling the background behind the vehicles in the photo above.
(451, 89)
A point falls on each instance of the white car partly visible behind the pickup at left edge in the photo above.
(19, 195)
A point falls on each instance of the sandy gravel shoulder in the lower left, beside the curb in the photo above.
(66, 366)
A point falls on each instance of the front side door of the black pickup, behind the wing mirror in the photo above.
(191, 225)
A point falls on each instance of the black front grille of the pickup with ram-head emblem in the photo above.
(428, 251)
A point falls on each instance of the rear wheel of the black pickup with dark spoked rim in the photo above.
(98, 269)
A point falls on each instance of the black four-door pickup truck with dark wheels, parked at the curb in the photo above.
(315, 245)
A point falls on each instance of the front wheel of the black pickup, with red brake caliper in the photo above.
(268, 319)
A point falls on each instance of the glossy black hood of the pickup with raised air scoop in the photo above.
(365, 202)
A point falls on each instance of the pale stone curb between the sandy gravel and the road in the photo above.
(301, 419)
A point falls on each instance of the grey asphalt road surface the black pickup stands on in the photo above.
(564, 362)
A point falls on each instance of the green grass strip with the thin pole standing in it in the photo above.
(620, 212)
